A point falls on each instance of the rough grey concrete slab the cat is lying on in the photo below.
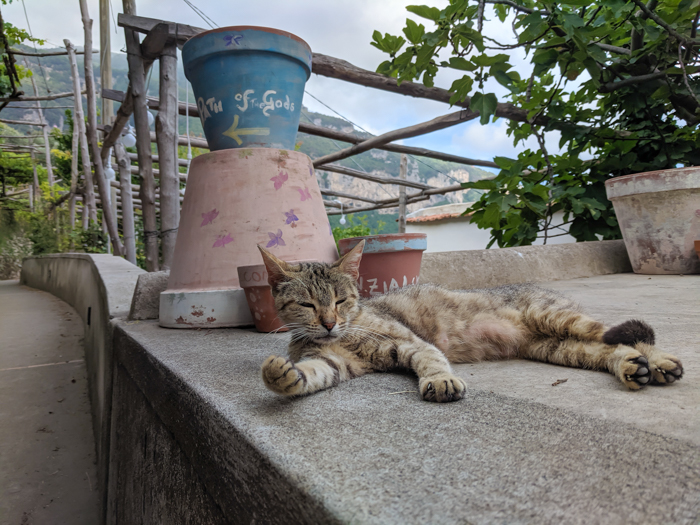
(517, 449)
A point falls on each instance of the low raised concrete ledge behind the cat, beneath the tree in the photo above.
(487, 268)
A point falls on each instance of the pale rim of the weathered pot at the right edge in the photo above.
(653, 182)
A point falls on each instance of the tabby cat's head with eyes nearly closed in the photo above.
(317, 301)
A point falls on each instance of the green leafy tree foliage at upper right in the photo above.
(618, 79)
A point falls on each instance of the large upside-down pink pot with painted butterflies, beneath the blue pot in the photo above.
(238, 199)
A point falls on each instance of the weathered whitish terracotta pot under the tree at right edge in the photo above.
(659, 215)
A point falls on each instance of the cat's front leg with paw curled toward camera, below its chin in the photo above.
(307, 376)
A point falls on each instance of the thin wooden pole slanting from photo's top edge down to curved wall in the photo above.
(102, 183)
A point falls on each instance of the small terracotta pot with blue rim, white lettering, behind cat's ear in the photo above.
(389, 261)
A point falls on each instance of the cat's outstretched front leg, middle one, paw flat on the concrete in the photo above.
(436, 381)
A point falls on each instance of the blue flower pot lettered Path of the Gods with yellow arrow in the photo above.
(248, 83)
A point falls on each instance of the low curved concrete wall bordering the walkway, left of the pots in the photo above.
(100, 288)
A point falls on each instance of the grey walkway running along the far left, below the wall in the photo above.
(47, 450)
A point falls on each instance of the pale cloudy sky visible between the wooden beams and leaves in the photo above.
(339, 28)
